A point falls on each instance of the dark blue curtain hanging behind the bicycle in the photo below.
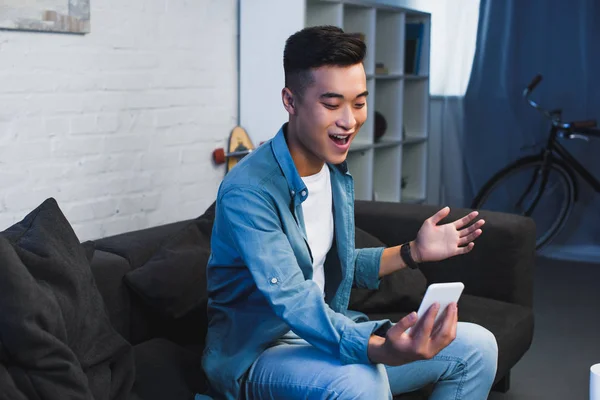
(516, 40)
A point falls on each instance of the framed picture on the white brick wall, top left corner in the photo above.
(67, 16)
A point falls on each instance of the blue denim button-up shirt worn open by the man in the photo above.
(260, 269)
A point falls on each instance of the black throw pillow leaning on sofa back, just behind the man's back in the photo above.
(173, 281)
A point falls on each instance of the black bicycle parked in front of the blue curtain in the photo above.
(542, 186)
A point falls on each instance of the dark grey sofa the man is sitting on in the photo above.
(168, 345)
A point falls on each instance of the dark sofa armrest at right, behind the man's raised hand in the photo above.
(500, 267)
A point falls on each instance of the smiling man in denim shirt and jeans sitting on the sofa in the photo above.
(283, 260)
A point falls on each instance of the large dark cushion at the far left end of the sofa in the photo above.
(56, 337)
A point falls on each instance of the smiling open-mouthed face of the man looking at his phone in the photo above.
(328, 116)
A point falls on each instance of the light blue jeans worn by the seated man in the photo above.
(293, 369)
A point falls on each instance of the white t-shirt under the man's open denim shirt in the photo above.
(318, 221)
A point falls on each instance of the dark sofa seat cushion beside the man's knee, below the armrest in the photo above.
(511, 324)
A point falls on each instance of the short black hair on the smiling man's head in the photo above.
(315, 47)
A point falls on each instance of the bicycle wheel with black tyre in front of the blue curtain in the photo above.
(515, 188)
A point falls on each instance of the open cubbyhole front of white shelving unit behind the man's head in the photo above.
(393, 168)
